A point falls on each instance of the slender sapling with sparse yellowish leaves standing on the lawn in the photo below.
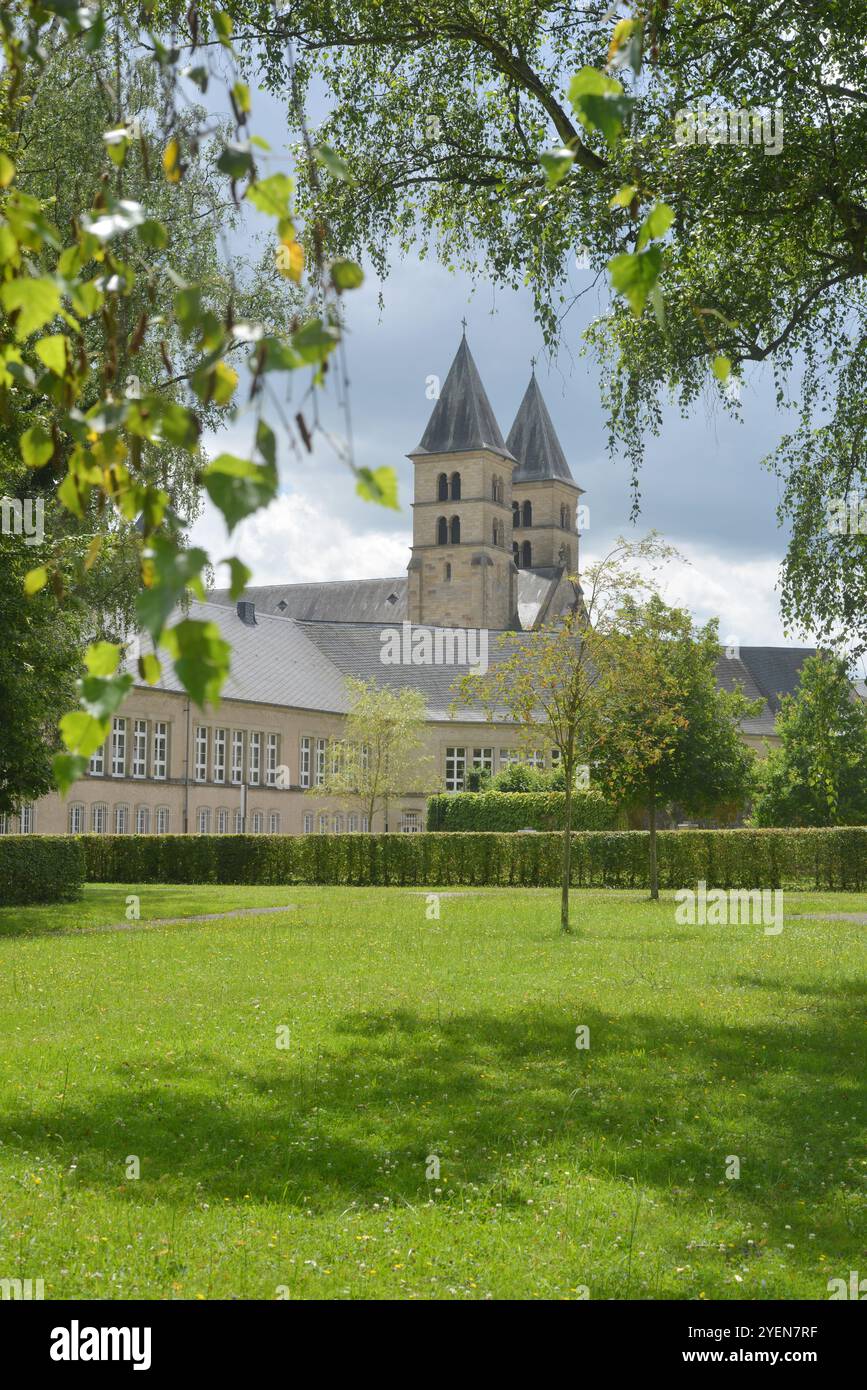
(551, 682)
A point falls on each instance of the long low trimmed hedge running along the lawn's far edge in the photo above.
(601, 860)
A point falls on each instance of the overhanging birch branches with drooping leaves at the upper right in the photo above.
(448, 108)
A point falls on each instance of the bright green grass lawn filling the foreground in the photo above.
(302, 1171)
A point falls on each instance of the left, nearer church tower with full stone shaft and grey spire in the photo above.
(462, 571)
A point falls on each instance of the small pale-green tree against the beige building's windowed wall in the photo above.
(379, 758)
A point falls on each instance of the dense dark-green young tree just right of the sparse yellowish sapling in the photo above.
(670, 733)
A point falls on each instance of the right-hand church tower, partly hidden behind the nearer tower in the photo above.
(545, 496)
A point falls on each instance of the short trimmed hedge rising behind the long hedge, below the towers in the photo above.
(519, 811)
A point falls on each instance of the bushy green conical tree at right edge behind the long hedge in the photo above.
(819, 775)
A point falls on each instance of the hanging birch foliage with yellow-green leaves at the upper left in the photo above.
(122, 334)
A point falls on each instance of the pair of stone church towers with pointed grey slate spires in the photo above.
(487, 511)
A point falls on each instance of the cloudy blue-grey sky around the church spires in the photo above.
(702, 484)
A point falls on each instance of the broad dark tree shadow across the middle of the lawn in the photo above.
(655, 1102)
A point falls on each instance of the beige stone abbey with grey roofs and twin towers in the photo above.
(497, 529)
